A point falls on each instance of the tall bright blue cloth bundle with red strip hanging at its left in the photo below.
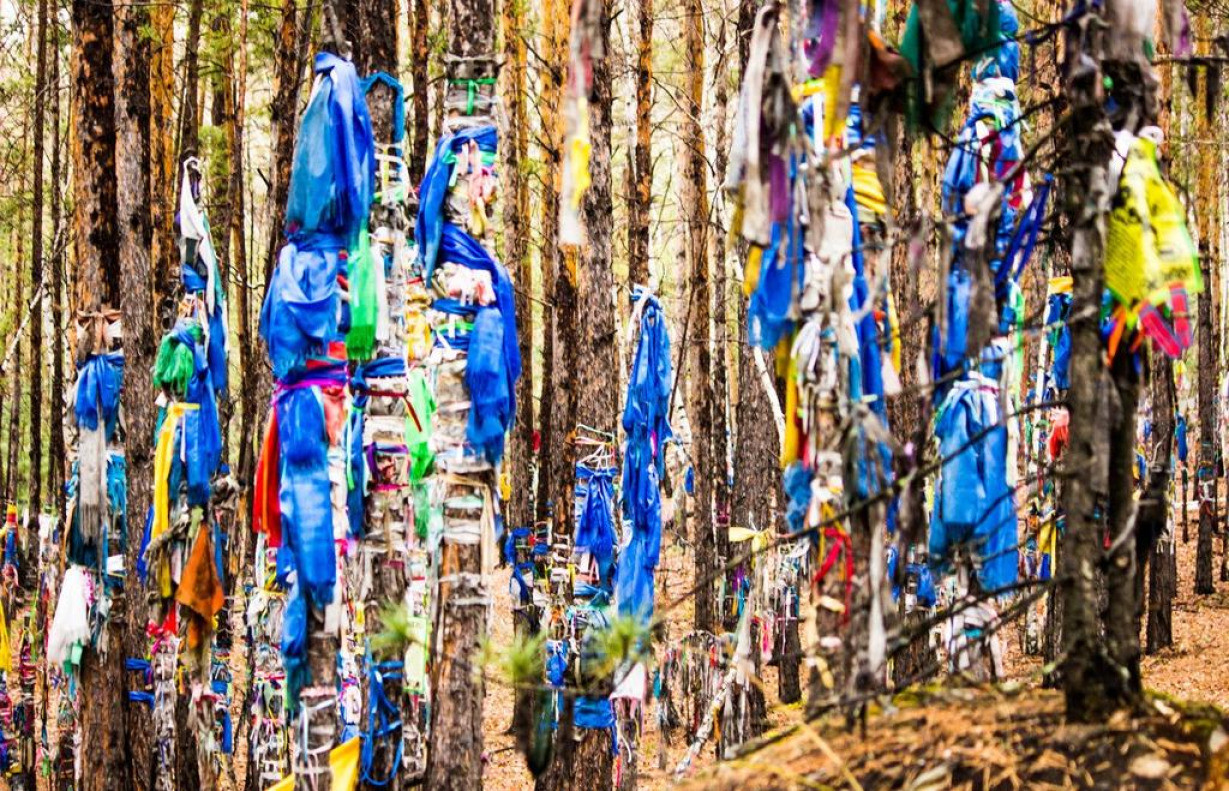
(302, 488)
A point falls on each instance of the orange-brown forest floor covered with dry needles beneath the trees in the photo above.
(1012, 736)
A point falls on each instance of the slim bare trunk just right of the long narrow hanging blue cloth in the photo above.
(699, 346)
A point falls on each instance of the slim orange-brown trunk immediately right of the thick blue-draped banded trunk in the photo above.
(517, 239)
